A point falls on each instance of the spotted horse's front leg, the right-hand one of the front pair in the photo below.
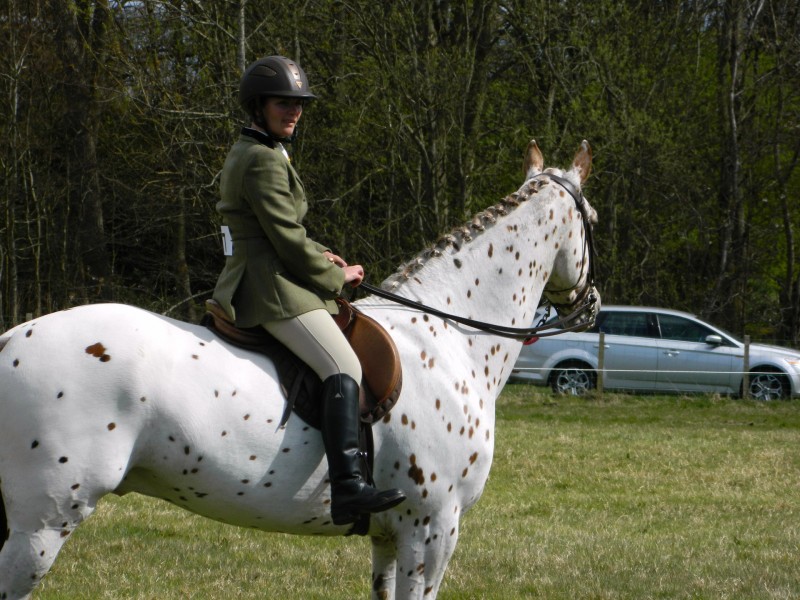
(424, 547)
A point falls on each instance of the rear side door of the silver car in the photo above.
(631, 351)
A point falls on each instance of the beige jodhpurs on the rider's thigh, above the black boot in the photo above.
(317, 340)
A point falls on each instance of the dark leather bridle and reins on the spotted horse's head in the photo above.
(580, 318)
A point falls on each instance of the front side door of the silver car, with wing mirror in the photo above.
(687, 362)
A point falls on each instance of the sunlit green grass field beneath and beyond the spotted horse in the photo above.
(613, 498)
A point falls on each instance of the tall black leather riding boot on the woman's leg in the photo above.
(351, 495)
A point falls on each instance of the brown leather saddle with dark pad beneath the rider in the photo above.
(380, 363)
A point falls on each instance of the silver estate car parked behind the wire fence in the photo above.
(661, 350)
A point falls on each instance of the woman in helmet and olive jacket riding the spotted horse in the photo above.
(285, 282)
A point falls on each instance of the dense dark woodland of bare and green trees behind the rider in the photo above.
(118, 115)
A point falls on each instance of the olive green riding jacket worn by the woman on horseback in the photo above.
(276, 271)
